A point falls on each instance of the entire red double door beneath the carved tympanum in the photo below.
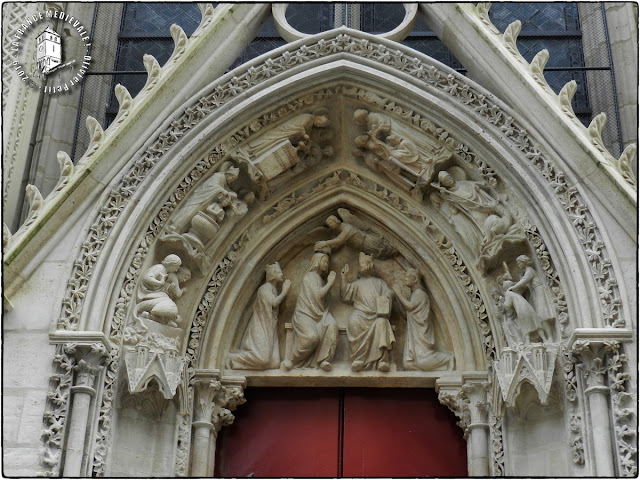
(323, 432)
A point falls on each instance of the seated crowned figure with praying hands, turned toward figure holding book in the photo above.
(316, 331)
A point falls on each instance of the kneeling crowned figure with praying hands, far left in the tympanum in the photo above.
(260, 348)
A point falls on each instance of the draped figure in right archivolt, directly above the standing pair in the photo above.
(494, 225)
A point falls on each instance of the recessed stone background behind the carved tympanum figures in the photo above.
(390, 266)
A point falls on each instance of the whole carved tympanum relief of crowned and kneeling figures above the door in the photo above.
(375, 315)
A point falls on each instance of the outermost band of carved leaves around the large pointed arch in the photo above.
(342, 43)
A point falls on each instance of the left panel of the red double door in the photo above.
(282, 432)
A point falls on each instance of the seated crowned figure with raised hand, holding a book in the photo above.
(368, 328)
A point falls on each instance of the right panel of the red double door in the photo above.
(400, 433)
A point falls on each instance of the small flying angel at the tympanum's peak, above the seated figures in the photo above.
(357, 234)
